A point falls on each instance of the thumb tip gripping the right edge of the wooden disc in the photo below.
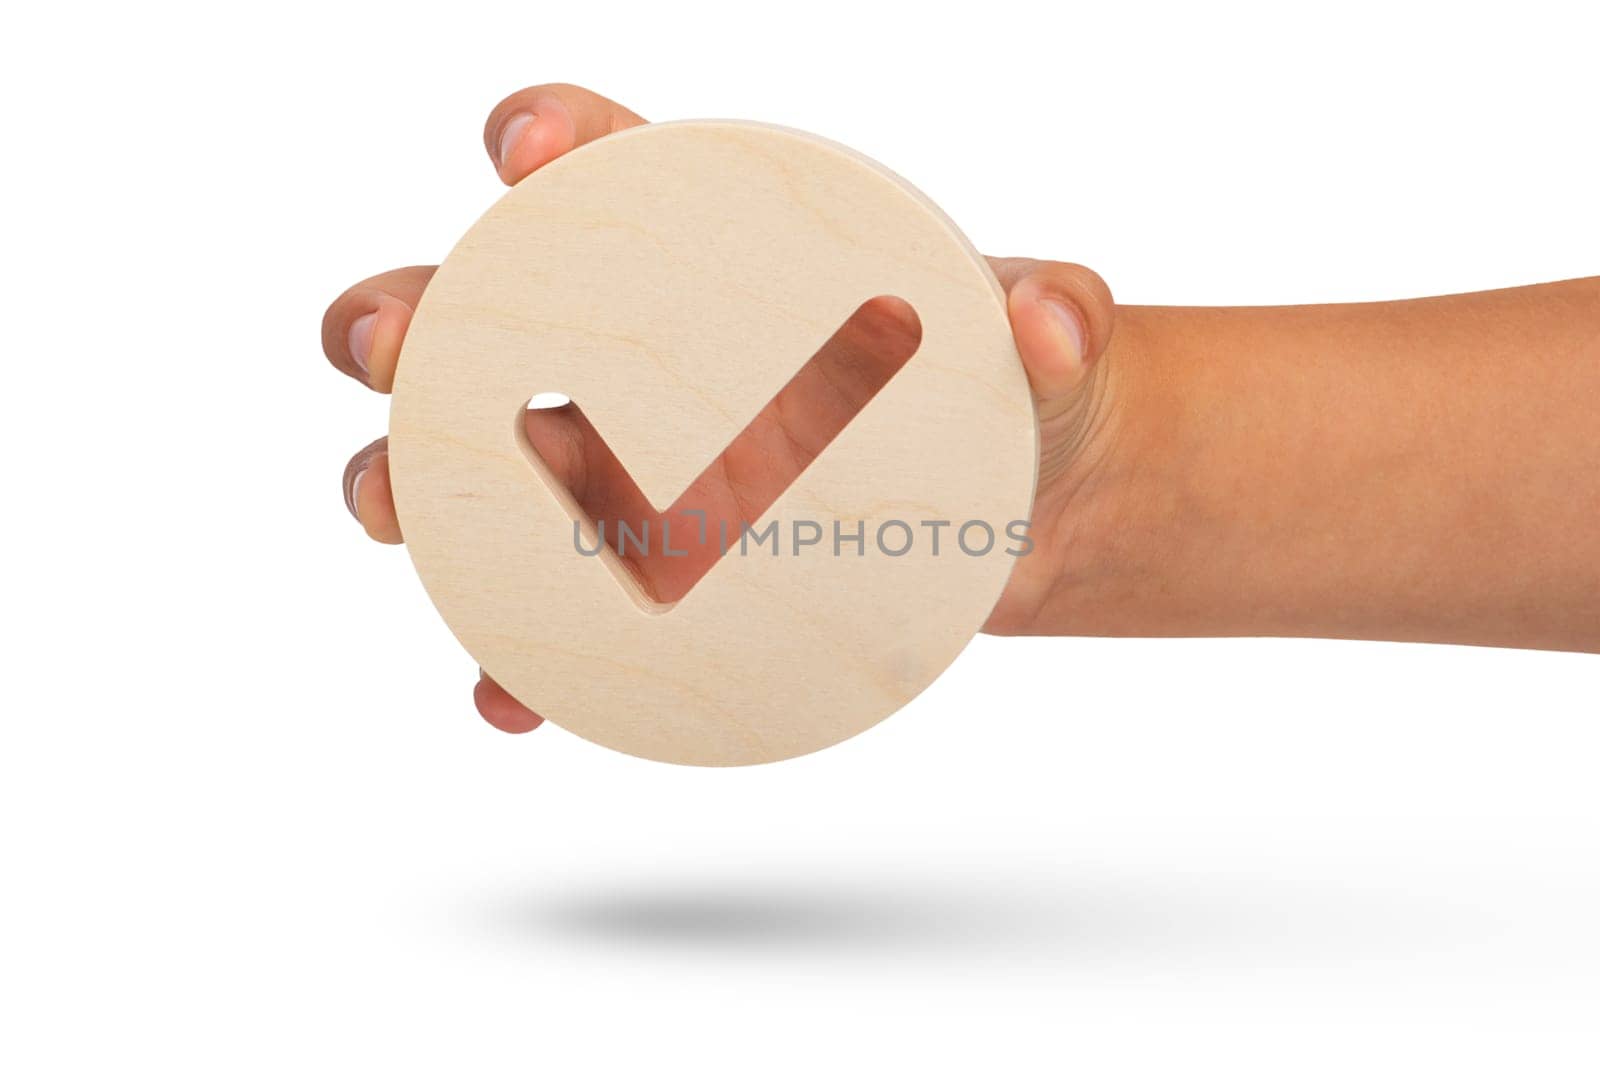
(1062, 318)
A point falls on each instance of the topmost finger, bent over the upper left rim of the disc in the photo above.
(535, 126)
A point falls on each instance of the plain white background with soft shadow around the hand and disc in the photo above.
(249, 811)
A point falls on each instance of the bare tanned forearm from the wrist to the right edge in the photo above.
(1407, 471)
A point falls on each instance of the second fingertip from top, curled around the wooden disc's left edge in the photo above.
(364, 329)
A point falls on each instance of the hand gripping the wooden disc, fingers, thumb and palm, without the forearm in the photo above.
(1062, 316)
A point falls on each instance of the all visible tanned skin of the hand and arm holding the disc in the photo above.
(1404, 471)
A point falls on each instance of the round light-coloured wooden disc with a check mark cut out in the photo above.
(671, 279)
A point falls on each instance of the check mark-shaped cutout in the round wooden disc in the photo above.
(633, 540)
